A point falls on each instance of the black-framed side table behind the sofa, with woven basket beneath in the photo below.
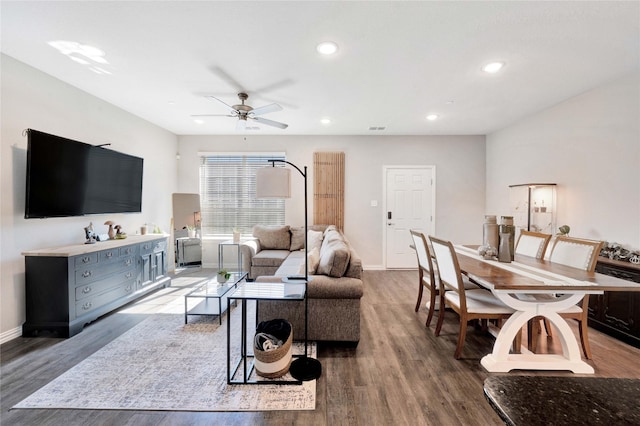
(257, 291)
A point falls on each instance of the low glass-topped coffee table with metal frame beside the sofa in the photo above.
(210, 297)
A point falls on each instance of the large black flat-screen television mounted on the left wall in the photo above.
(71, 178)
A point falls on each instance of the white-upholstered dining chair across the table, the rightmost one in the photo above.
(582, 254)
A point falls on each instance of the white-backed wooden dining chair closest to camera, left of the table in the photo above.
(468, 303)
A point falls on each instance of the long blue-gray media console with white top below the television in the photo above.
(68, 287)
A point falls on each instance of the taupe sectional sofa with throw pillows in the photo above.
(334, 291)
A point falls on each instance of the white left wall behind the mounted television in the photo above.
(32, 99)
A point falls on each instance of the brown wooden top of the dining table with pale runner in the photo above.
(503, 279)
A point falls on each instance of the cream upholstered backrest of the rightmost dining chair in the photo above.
(576, 252)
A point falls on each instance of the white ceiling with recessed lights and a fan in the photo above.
(398, 61)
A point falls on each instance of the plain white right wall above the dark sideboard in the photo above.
(590, 146)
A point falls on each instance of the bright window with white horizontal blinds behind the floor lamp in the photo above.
(228, 193)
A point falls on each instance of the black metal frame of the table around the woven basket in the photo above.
(244, 355)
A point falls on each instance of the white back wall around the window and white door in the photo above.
(460, 176)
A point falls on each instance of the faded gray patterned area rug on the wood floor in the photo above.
(163, 364)
